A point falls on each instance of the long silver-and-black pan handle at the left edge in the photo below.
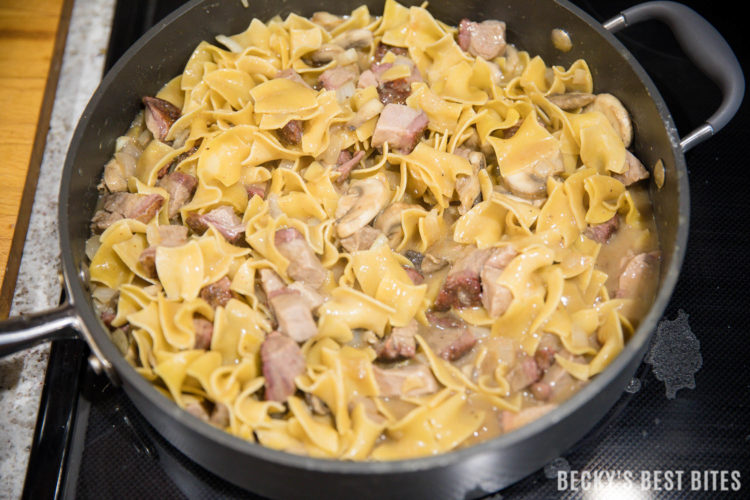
(28, 330)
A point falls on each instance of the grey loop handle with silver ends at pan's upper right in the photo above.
(705, 47)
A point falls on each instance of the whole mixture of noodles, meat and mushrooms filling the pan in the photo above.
(373, 237)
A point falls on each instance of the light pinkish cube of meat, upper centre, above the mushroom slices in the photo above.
(400, 126)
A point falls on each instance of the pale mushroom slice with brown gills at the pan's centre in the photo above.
(362, 202)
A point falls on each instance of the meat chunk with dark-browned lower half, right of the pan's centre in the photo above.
(463, 287)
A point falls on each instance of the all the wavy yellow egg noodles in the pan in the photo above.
(232, 104)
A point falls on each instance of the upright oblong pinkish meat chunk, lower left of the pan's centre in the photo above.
(282, 361)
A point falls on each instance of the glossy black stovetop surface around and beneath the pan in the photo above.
(92, 443)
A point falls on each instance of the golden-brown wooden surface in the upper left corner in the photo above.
(32, 38)
